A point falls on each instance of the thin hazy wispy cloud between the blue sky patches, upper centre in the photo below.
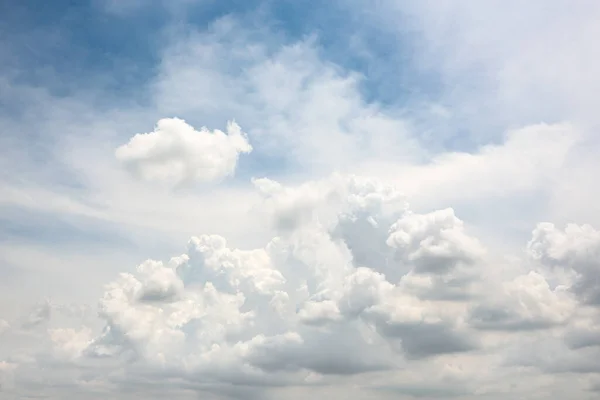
(297, 106)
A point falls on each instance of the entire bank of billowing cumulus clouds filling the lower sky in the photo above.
(352, 283)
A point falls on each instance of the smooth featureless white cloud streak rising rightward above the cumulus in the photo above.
(527, 160)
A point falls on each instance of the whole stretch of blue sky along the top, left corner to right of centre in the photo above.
(65, 44)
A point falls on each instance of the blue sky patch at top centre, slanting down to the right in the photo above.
(348, 34)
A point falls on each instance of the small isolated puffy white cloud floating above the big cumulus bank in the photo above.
(175, 153)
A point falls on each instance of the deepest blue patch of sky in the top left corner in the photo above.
(67, 45)
